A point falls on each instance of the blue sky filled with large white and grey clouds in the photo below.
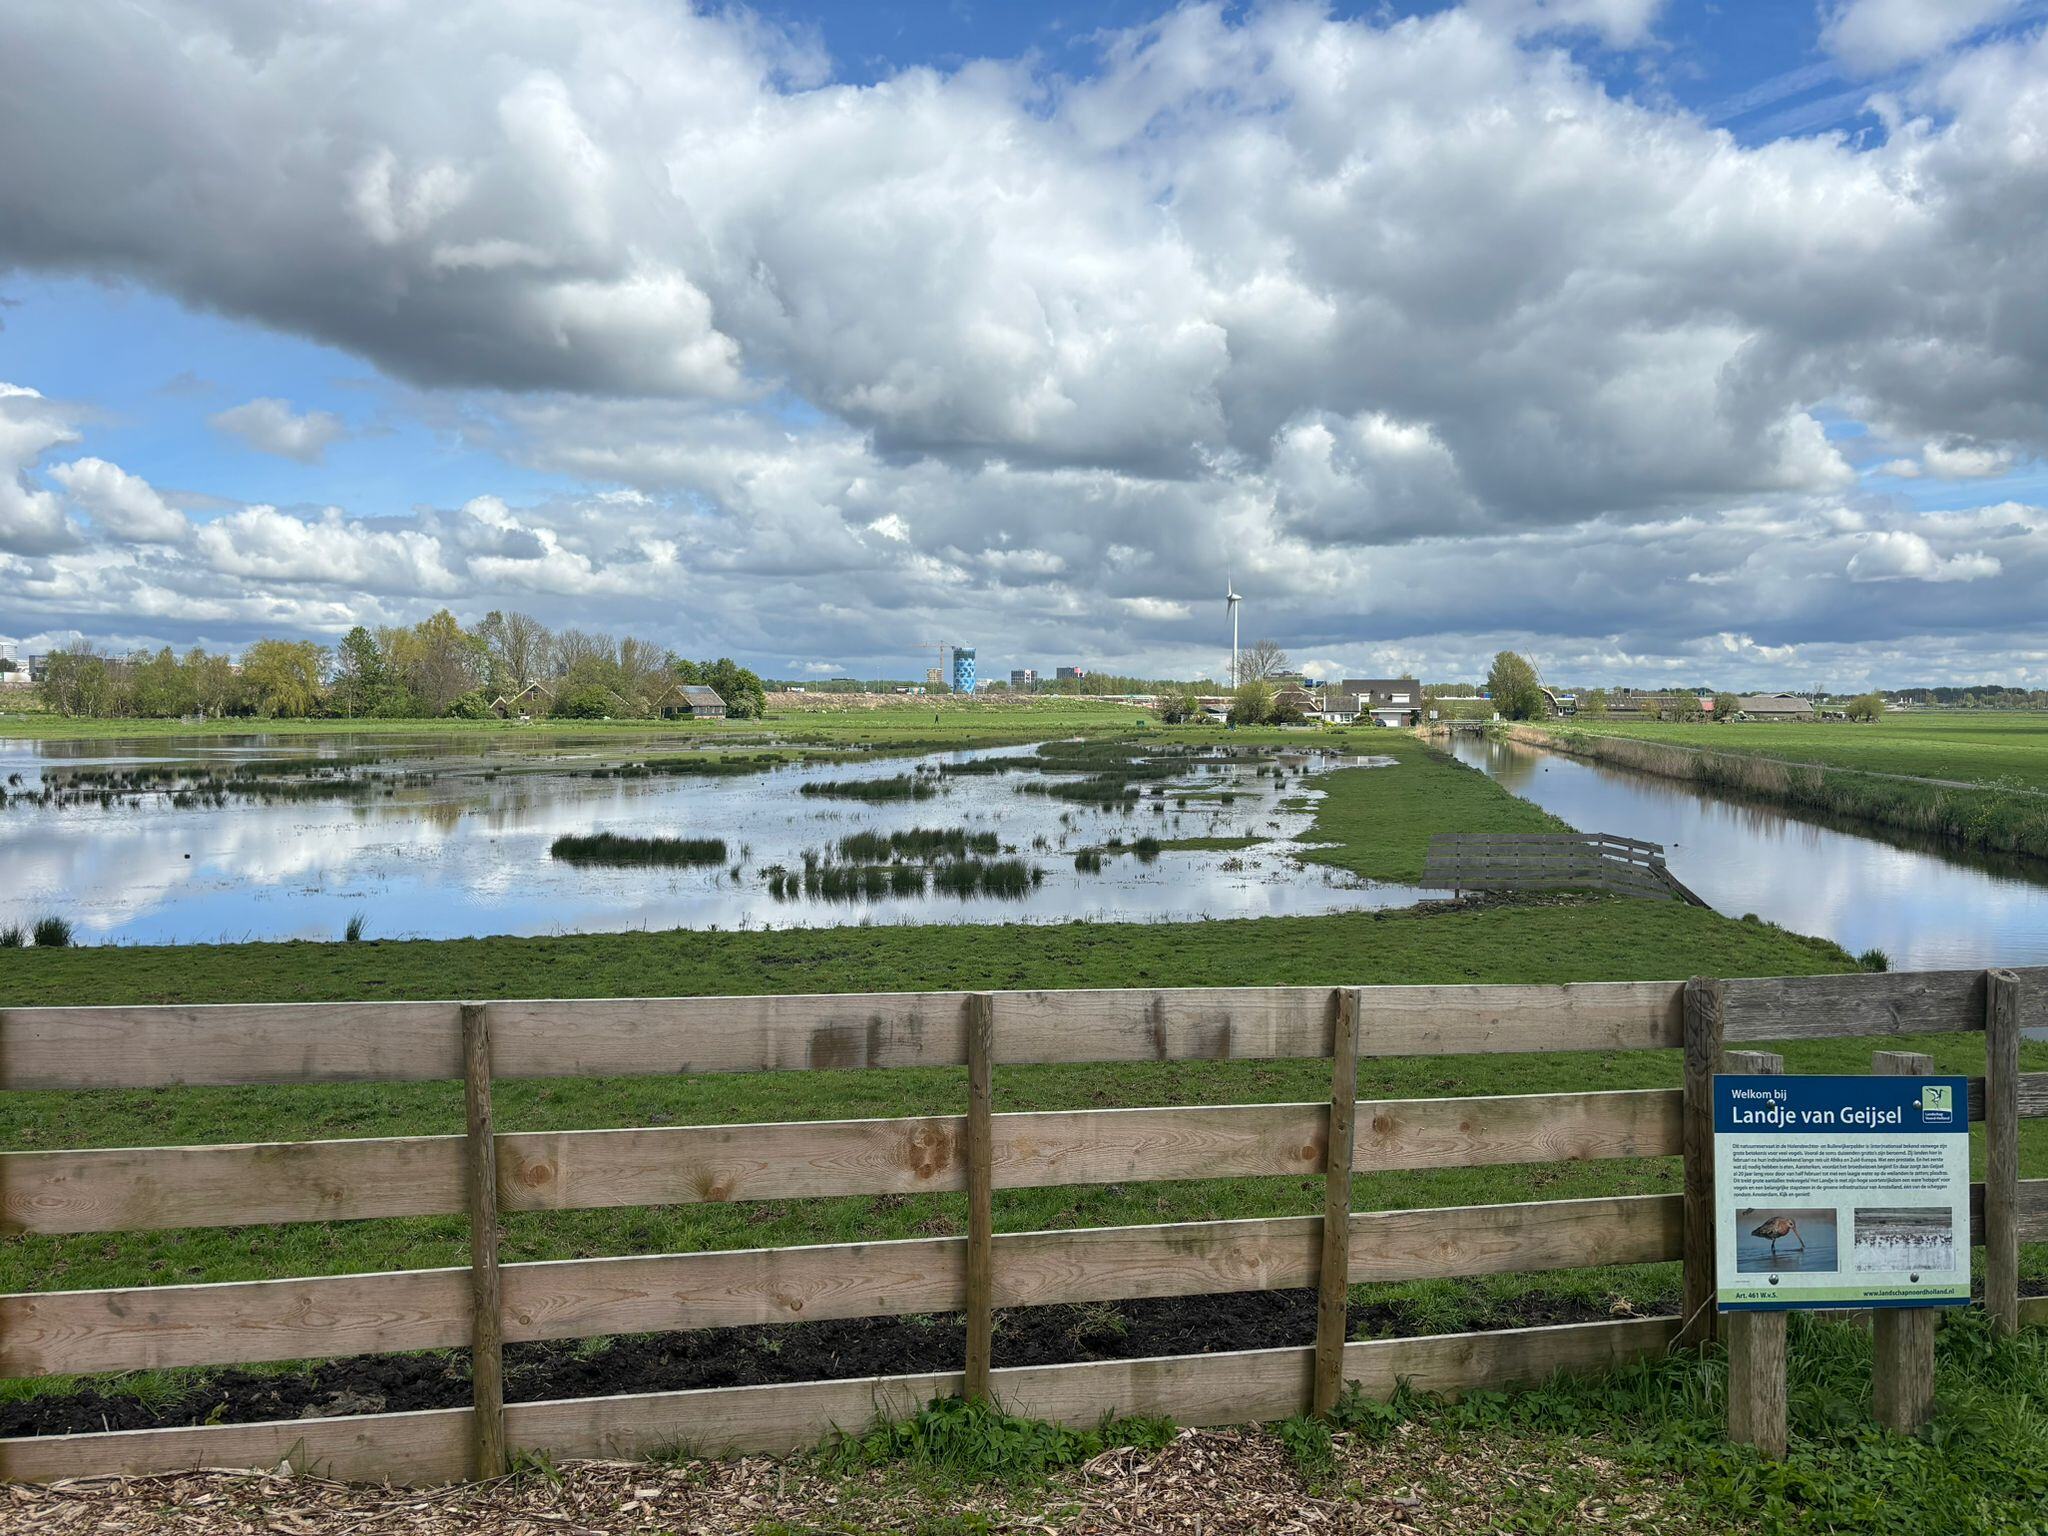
(1662, 339)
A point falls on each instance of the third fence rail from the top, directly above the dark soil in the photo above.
(77, 1332)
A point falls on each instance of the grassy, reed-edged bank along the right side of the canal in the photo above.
(2002, 818)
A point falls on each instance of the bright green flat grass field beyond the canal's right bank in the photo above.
(1981, 746)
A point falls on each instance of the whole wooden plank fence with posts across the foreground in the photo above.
(486, 1172)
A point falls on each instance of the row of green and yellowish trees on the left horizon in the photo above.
(427, 671)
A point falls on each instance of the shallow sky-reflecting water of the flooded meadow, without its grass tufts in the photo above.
(456, 843)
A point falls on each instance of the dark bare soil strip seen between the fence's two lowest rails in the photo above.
(742, 1357)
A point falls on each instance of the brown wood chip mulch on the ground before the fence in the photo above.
(1207, 1484)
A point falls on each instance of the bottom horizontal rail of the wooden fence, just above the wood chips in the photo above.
(1240, 1388)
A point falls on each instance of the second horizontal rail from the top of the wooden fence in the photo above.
(148, 1189)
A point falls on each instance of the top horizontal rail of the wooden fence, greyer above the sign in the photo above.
(327, 1043)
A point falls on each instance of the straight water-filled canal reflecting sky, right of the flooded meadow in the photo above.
(1926, 906)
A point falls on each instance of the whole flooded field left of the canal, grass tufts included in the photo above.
(439, 839)
